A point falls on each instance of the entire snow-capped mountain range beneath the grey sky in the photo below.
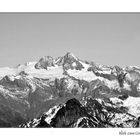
(30, 90)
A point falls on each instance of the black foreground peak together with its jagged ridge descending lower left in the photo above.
(66, 116)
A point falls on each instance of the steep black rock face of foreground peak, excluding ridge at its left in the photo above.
(68, 114)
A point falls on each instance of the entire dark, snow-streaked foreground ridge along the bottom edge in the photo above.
(89, 114)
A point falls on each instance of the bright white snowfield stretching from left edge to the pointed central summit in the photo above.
(51, 73)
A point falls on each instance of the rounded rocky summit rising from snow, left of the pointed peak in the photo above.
(45, 62)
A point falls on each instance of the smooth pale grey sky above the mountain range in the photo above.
(106, 38)
